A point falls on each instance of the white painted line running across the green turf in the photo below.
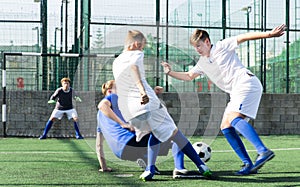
(93, 152)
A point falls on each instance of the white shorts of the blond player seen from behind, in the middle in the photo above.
(159, 122)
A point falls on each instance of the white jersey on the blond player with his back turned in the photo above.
(129, 95)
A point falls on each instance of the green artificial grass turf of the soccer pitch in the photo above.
(71, 162)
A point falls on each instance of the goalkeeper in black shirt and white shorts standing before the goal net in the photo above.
(64, 105)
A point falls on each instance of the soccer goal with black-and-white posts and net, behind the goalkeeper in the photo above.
(28, 80)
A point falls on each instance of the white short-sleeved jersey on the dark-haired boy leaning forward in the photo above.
(223, 67)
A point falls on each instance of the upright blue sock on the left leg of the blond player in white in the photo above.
(153, 150)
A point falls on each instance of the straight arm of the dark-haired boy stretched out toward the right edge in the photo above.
(276, 32)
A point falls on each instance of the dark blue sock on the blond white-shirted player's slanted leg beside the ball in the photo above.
(187, 148)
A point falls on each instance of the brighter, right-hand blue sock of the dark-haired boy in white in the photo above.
(243, 127)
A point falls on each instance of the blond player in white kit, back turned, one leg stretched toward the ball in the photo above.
(141, 107)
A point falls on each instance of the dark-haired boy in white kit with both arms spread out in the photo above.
(222, 66)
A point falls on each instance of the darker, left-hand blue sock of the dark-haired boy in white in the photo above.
(237, 145)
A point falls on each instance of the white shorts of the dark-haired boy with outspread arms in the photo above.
(245, 97)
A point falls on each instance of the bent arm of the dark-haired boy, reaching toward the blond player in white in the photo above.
(186, 76)
